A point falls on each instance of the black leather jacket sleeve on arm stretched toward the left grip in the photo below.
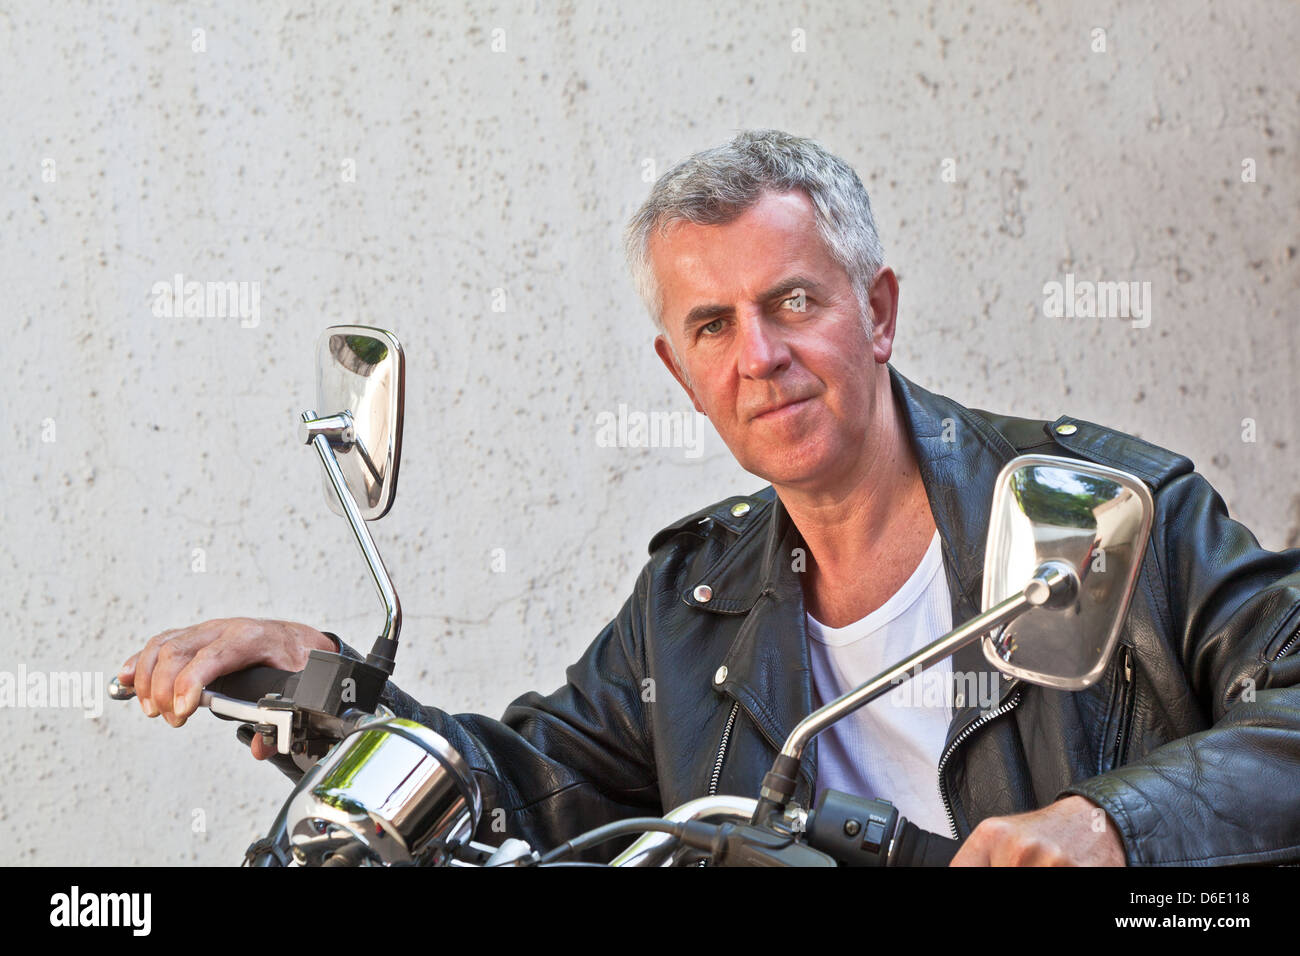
(554, 767)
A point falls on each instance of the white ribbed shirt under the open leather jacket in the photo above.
(890, 750)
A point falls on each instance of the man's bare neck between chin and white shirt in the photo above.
(866, 535)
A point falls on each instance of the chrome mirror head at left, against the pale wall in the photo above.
(361, 371)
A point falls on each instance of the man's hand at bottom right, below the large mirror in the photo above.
(1073, 832)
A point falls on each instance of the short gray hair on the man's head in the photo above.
(717, 187)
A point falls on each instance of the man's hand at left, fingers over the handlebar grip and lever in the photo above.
(172, 671)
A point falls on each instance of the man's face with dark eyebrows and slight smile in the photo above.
(791, 392)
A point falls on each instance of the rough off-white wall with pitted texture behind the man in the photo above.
(515, 170)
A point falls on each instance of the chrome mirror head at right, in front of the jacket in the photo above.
(1087, 520)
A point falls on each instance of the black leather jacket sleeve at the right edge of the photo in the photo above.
(1229, 794)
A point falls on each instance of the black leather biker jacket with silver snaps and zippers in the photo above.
(1190, 742)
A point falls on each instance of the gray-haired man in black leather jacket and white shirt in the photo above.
(760, 263)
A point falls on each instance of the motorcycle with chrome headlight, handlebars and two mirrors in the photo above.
(1064, 550)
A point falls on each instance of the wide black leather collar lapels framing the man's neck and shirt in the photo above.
(768, 664)
